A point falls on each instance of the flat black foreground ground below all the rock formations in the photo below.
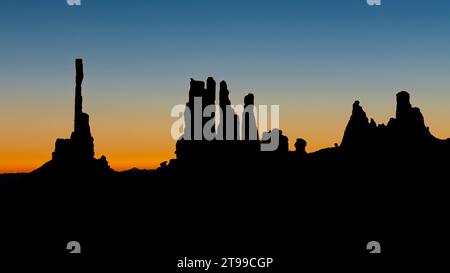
(308, 216)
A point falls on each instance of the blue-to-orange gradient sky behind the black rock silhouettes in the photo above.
(313, 58)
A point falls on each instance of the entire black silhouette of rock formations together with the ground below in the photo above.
(383, 182)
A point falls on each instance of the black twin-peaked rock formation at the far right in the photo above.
(406, 134)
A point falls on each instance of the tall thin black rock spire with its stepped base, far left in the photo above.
(76, 155)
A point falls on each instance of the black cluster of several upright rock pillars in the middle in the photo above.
(226, 149)
